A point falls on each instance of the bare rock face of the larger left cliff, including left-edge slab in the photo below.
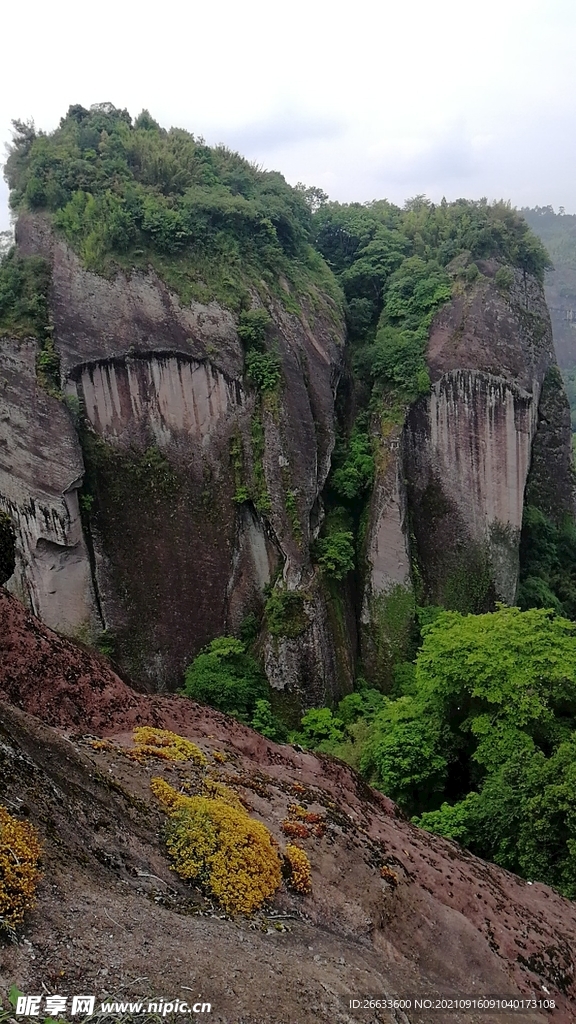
(173, 440)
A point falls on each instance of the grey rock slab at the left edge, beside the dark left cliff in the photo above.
(42, 471)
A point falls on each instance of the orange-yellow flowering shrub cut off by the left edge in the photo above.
(20, 852)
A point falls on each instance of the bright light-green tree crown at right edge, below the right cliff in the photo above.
(510, 670)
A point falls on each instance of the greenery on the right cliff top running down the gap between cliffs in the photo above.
(397, 269)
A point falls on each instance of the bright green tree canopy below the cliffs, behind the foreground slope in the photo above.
(479, 743)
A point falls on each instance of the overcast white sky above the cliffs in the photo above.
(367, 101)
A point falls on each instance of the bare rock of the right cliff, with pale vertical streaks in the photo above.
(447, 508)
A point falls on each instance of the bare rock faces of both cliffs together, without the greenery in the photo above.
(169, 494)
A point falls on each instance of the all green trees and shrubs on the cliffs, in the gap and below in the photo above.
(476, 740)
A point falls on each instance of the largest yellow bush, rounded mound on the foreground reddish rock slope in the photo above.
(214, 841)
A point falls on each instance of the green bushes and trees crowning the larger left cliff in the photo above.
(134, 195)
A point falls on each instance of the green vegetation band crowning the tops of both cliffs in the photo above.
(132, 194)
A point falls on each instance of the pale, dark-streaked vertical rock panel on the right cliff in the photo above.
(469, 450)
